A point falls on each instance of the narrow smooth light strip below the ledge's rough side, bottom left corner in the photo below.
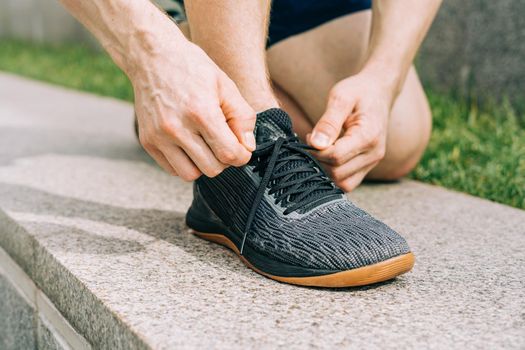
(63, 331)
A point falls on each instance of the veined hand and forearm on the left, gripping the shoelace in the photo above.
(192, 118)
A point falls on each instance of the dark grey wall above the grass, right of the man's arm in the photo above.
(478, 48)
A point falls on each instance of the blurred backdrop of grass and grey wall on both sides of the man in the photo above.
(472, 65)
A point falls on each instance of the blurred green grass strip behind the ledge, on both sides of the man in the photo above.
(478, 151)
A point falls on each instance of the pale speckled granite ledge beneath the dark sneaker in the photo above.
(106, 241)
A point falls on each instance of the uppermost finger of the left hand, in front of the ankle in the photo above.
(239, 114)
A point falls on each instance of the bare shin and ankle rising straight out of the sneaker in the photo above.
(233, 34)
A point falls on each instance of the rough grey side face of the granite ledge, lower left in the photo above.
(103, 328)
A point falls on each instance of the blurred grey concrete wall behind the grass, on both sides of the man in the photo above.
(476, 47)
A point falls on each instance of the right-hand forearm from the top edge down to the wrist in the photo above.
(398, 28)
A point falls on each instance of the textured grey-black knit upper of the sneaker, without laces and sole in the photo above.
(331, 234)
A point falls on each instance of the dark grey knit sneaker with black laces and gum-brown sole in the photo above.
(285, 219)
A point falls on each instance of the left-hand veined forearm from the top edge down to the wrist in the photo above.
(132, 32)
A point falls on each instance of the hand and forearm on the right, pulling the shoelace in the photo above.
(359, 106)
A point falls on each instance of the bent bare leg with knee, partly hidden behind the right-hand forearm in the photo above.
(306, 67)
